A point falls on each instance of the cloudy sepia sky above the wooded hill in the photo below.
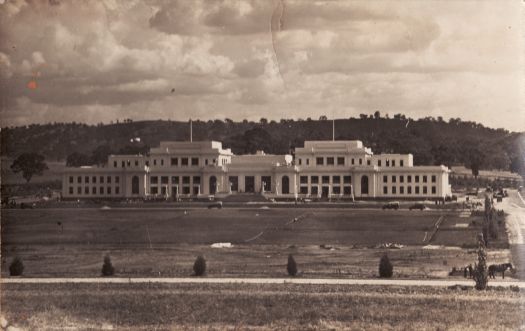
(99, 61)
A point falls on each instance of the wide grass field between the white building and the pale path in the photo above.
(166, 242)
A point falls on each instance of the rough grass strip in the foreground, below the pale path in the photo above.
(223, 306)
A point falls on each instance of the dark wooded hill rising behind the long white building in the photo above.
(430, 140)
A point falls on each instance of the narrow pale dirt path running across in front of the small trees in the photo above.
(311, 281)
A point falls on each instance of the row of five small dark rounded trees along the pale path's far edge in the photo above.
(199, 267)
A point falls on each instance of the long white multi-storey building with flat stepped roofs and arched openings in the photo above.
(321, 169)
